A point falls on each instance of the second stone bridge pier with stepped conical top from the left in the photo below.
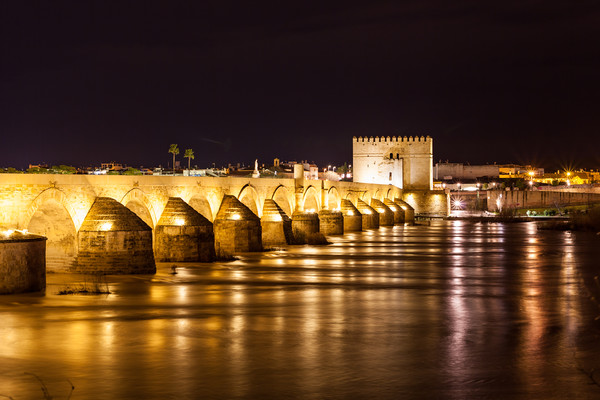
(183, 234)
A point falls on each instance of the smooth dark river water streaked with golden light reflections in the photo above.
(449, 311)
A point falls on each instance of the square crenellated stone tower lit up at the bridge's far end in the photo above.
(405, 162)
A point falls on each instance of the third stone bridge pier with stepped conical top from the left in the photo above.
(237, 229)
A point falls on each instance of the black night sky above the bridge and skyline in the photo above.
(95, 81)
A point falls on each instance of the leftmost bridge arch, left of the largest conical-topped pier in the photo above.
(50, 214)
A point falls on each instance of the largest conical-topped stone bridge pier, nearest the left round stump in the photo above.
(113, 240)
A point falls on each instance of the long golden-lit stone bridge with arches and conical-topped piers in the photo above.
(68, 211)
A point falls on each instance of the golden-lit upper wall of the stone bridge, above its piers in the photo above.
(56, 206)
